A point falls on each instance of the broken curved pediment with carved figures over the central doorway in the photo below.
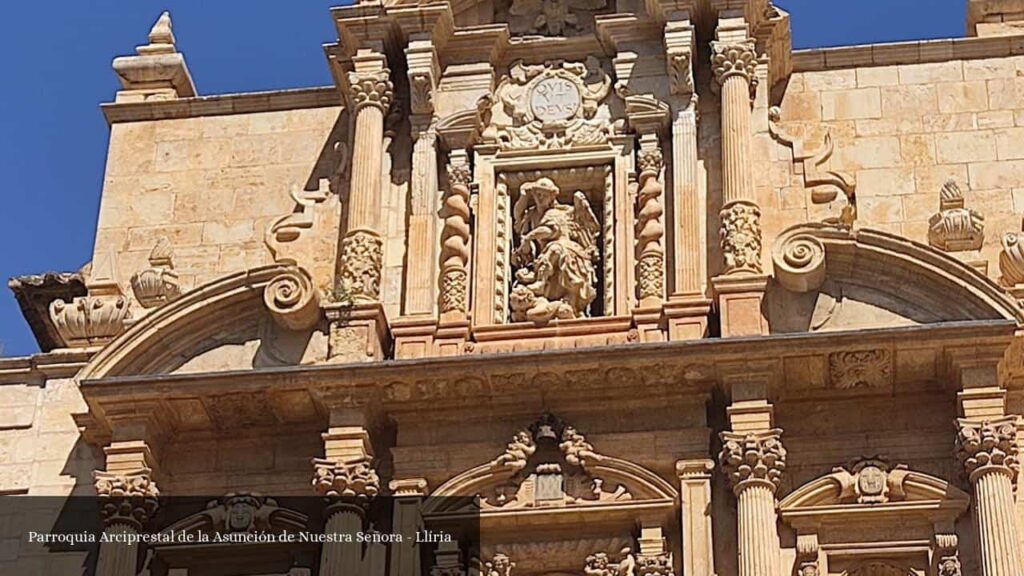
(551, 466)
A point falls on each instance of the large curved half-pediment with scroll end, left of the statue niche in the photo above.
(224, 325)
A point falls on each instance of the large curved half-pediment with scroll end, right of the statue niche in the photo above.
(829, 278)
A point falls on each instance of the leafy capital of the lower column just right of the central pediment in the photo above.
(752, 459)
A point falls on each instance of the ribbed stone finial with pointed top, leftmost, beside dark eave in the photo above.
(100, 317)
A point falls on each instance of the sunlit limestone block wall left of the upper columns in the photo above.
(211, 185)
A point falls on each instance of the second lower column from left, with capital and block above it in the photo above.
(350, 483)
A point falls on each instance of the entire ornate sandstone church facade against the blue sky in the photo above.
(663, 295)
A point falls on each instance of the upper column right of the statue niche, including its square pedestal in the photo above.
(742, 284)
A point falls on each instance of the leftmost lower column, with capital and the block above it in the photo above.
(129, 501)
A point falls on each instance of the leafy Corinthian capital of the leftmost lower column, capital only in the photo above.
(127, 499)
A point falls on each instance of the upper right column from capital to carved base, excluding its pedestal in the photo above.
(734, 64)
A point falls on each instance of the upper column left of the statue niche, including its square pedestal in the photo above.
(360, 331)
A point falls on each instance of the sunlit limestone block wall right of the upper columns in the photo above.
(904, 132)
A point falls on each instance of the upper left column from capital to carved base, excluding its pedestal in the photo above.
(362, 248)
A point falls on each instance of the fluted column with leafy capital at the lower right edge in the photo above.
(990, 454)
